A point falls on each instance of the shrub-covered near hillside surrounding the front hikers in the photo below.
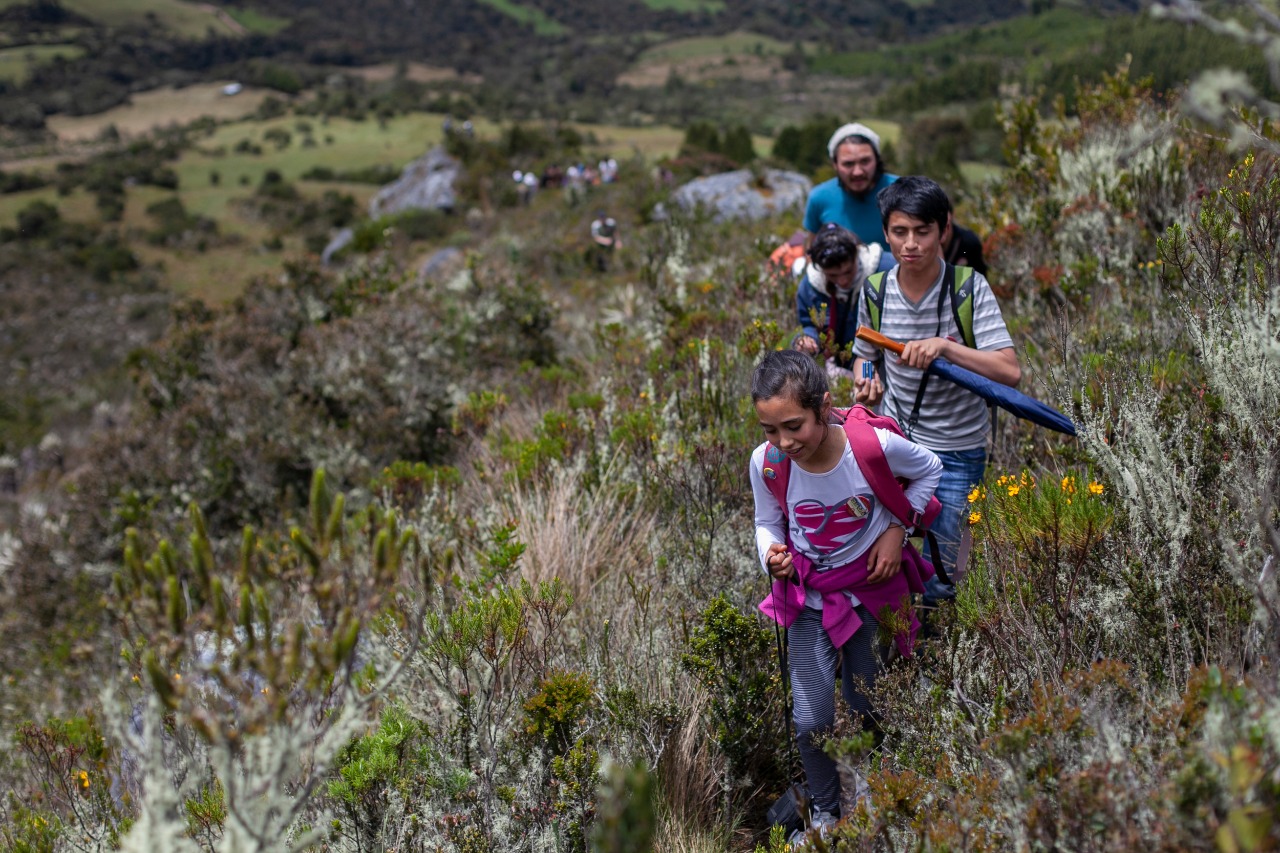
(545, 553)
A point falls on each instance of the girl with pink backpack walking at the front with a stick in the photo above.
(825, 533)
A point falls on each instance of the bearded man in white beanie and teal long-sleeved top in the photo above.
(849, 199)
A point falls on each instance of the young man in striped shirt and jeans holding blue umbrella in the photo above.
(940, 311)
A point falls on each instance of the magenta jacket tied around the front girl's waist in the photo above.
(839, 617)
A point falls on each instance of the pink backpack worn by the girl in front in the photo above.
(861, 423)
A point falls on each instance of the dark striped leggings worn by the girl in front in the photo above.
(812, 660)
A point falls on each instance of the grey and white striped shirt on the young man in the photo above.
(950, 418)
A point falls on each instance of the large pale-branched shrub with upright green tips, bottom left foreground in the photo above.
(253, 676)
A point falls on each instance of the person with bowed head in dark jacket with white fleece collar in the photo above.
(834, 275)
